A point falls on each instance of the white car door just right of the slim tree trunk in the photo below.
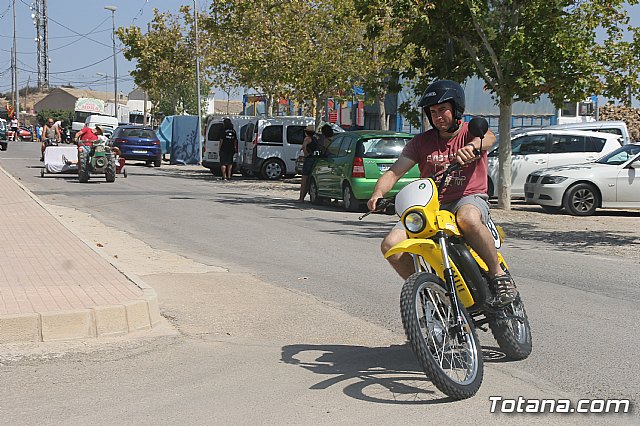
(528, 153)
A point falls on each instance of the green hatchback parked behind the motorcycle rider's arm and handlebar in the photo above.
(352, 164)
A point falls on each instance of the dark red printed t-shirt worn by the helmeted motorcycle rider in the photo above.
(433, 153)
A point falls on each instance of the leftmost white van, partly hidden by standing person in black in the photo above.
(215, 131)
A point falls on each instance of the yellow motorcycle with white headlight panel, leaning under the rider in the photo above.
(440, 323)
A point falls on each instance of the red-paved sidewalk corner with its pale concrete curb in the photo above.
(53, 286)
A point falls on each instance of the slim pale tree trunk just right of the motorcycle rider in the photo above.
(504, 153)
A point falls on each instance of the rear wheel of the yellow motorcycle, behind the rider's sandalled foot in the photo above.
(511, 330)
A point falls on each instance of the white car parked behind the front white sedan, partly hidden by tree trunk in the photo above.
(539, 149)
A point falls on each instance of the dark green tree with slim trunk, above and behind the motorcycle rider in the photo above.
(523, 49)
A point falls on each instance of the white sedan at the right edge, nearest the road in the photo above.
(613, 181)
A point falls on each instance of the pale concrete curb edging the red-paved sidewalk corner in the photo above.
(141, 313)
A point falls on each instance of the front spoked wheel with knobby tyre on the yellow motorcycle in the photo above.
(451, 358)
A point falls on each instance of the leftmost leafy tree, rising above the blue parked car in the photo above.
(165, 61)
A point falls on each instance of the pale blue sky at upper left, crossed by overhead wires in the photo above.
(80, 35)
